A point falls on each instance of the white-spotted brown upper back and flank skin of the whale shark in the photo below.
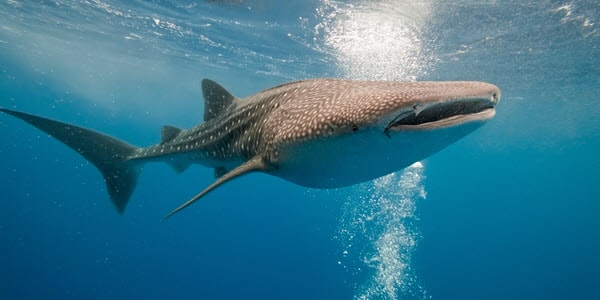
(303, 110)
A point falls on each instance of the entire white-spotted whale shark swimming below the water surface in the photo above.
(317, 133)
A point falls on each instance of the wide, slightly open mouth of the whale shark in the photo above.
(444, 114)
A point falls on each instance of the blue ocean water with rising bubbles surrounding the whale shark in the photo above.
(509, 212)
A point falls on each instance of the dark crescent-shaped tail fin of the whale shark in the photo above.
(108, 154)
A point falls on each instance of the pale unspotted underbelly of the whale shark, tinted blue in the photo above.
(360, 157)
